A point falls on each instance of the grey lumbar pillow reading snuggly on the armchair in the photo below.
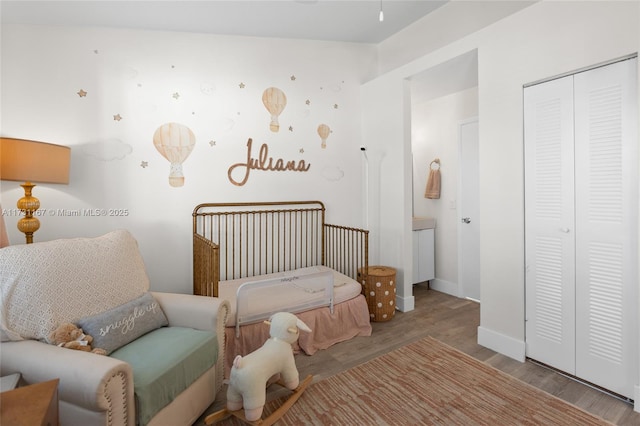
(116, 327)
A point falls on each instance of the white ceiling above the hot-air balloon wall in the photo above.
(330, 20)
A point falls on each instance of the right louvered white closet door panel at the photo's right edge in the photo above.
(606, 225)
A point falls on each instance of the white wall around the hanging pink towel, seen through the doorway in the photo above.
(435, 134)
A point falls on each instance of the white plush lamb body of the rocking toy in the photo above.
(249, 374)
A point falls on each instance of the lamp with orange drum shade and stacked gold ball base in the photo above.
(30, 161)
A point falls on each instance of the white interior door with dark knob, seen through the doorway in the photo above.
(469, 226)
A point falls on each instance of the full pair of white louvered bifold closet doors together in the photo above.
(581, 225)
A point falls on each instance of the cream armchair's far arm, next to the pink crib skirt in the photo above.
(199, 312)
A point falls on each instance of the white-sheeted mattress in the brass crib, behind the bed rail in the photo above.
(344, 288)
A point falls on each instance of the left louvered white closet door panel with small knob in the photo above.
(549, 219)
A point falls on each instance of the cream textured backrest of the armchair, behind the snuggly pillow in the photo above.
(43, 285)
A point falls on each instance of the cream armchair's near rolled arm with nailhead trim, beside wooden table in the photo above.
(93, 382)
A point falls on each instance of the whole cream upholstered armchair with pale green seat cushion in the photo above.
(45, 284)
